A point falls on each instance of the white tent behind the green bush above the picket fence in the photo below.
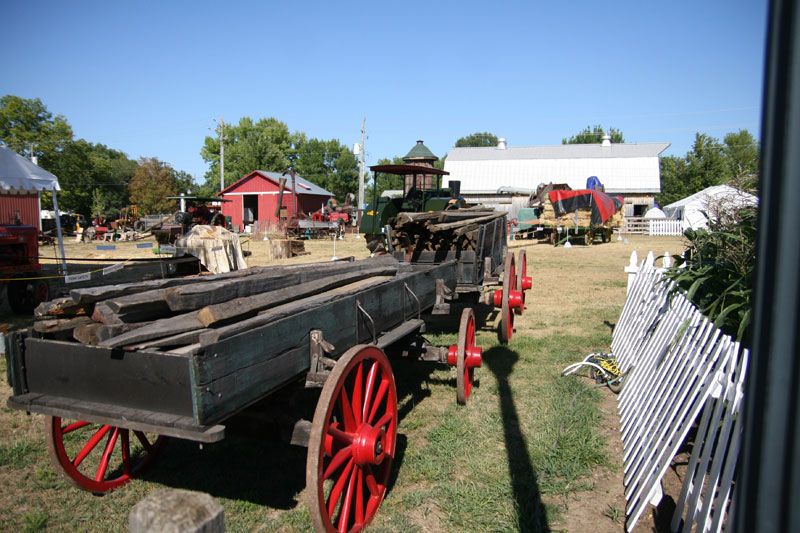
(694, 211)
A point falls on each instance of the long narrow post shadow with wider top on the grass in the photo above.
(531, 512)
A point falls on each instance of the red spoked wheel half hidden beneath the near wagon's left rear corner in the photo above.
(84, 453)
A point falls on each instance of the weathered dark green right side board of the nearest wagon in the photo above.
(239, 370)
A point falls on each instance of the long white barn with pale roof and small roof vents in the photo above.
(505, 176)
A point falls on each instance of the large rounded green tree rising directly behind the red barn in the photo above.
(263, 145)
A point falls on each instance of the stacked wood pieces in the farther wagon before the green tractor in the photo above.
(455, 229)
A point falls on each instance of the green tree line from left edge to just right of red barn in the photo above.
(96, 179)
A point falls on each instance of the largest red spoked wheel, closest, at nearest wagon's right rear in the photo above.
(352, 441)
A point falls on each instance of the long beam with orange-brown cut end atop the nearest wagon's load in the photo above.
(241, 308)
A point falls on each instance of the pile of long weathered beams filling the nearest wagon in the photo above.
(181, 315)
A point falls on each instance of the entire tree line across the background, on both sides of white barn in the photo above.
(97, 179)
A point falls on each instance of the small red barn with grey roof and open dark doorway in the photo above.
(255, 197)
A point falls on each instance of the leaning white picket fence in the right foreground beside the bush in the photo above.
(679, 368)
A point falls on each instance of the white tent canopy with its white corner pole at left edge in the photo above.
(18, 175)
